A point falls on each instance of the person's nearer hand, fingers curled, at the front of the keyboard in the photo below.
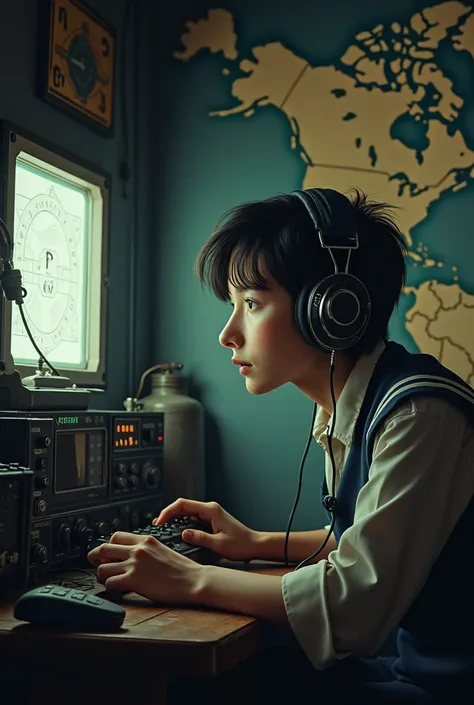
(141, 564)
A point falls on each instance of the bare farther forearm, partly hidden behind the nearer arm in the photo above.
(270, 546)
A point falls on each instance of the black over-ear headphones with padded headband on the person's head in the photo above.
(332, 313)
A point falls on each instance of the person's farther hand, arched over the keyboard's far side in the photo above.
(229, 538)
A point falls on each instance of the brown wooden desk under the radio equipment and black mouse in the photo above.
(132, 665)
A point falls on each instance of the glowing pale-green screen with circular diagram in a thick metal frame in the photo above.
(56, 208)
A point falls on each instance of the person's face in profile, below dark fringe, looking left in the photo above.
(261, 332)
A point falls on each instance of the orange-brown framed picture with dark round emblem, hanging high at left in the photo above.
(76, 67)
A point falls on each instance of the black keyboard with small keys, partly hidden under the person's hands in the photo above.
(170, 534)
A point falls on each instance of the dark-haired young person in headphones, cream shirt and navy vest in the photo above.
(313, 278)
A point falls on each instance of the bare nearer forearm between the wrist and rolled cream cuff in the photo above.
(240, 591)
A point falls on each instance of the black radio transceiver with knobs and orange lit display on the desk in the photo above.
(92, 473)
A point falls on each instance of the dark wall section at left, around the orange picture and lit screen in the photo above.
(19, 105)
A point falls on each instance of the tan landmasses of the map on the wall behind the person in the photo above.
(349, 125)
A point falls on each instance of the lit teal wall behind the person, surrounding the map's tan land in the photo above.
(205, 165)
